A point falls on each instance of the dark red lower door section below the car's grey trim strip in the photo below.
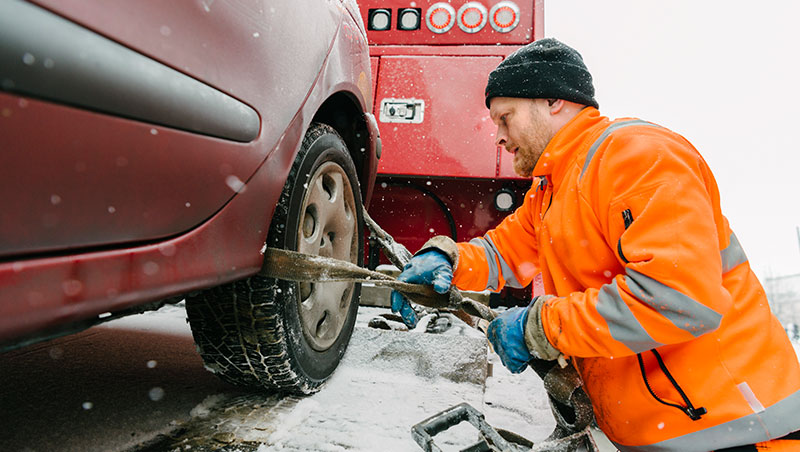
(91, 179)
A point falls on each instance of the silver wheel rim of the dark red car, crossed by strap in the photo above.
(327, 228)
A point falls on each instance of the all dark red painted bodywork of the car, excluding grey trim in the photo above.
(62, 168)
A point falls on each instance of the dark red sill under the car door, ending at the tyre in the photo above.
(49, 291)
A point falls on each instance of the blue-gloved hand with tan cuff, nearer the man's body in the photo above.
(517, 338)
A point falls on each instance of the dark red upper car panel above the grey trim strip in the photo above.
(253, 50)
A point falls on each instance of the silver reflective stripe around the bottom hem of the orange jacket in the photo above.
(778, 420)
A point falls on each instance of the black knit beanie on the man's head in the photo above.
(544, 69)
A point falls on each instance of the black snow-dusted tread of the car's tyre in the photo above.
(238, 326)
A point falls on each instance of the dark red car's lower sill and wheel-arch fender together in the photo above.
(43, 294)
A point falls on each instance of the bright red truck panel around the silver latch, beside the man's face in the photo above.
(456, 132)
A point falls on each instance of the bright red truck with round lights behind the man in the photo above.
(440, 171)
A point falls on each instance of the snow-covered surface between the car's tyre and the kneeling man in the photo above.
(388, 381)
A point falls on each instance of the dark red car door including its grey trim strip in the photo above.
(127, 122)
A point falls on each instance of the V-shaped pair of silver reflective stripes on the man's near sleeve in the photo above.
(684, 312)
